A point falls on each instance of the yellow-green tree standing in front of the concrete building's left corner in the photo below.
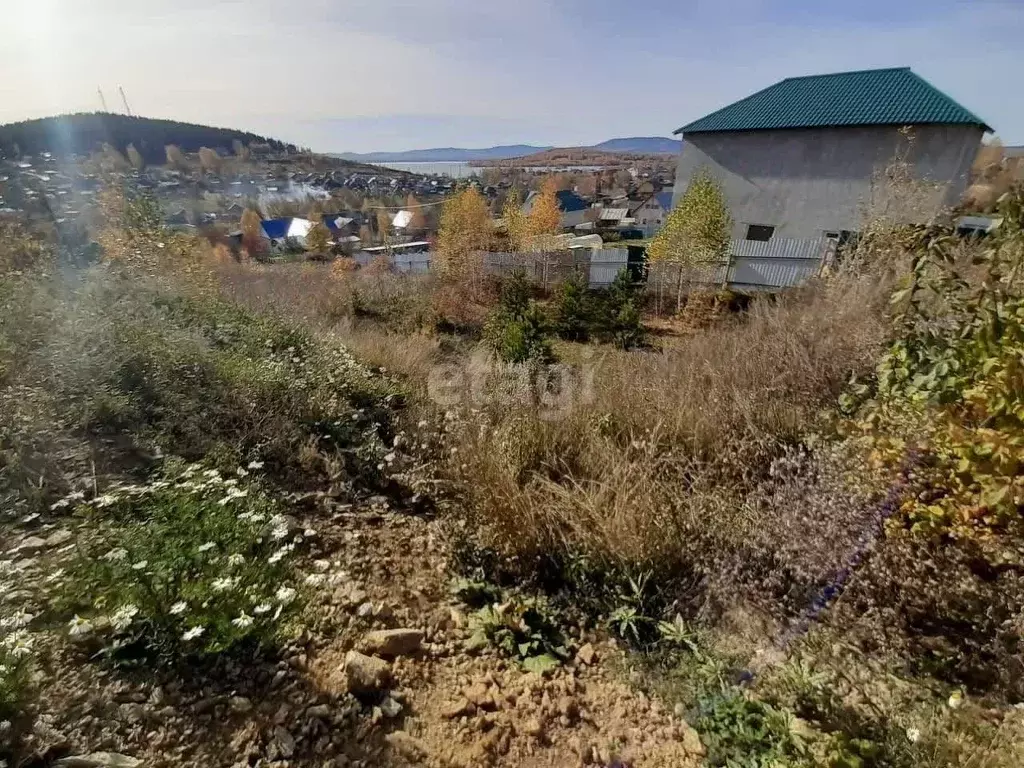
(696, 233)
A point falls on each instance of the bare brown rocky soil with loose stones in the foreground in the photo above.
(380, 678)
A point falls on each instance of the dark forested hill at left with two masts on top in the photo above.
(84, 133)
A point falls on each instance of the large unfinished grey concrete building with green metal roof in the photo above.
(807, 157)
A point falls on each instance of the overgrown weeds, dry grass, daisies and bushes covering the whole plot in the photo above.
(803, 519)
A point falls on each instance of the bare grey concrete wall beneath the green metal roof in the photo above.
(808, 182)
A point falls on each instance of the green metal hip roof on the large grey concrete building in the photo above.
(895, 97)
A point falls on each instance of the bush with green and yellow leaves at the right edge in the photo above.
(949, 390)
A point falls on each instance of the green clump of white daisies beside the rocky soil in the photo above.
(198, 565)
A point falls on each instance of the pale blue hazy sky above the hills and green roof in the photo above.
(389, 75)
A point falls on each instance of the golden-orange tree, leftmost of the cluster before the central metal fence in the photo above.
(465, 233)
